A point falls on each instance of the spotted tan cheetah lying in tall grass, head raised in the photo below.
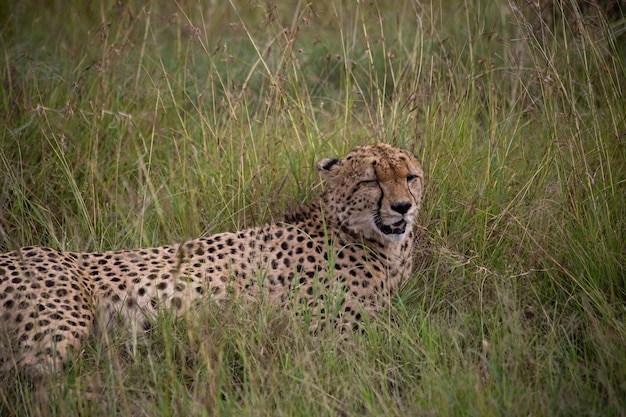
(355, 240)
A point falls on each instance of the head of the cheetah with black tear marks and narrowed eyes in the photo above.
(374, 191)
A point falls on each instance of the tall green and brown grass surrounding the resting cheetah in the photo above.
(133, 124)
